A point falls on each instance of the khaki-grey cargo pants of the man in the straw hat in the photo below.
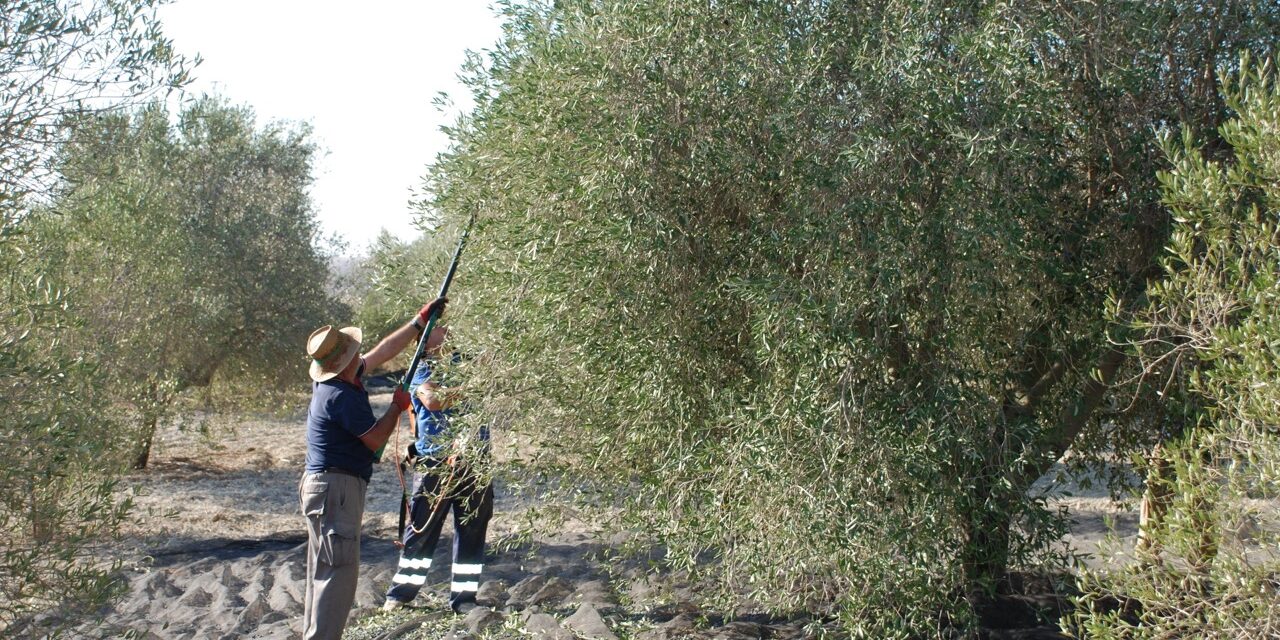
(333, 505)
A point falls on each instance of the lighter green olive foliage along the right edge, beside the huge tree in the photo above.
(1210, 554)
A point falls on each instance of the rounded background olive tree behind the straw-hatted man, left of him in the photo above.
(194, 248)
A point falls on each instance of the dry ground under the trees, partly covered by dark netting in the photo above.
(218, 552)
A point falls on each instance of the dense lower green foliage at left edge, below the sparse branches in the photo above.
(58, 461)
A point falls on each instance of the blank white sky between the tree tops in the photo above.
(364, 75)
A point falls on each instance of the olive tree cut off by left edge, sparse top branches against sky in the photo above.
(58, 461)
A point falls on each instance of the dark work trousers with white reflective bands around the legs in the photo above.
(437, 492)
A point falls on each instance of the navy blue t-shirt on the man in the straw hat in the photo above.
(339, 417)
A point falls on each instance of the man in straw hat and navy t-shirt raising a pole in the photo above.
(342, 437)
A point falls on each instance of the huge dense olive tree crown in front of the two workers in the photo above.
(816, 291)
